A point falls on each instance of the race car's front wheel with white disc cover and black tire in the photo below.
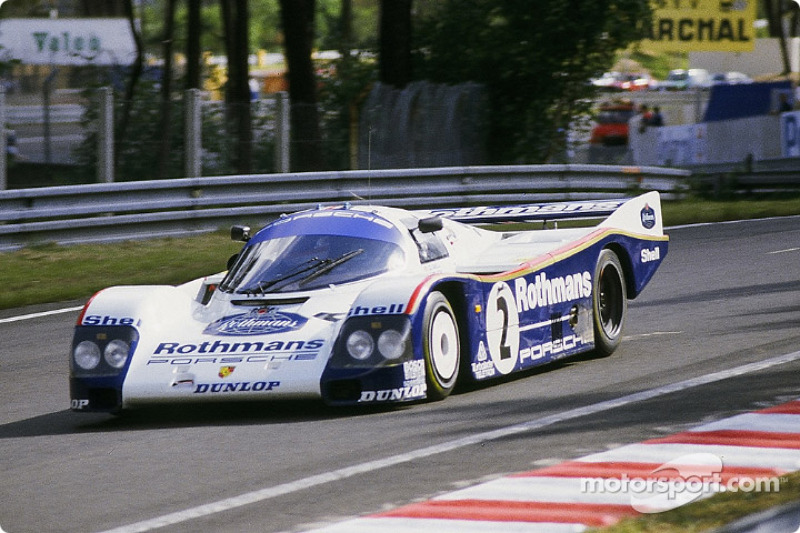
(441, 346)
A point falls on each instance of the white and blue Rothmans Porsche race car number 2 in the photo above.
(366, 304)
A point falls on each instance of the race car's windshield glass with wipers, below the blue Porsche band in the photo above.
(305, 262)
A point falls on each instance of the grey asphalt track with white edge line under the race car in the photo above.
(716, 333)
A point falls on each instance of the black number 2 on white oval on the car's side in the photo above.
(502, 327)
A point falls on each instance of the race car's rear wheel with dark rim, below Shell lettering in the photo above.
(609, 303)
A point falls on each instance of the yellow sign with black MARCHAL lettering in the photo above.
(702, 25)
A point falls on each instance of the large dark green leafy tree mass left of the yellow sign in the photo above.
(535, 59)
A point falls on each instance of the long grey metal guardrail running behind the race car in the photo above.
(130, 210)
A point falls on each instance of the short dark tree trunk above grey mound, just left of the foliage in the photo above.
(395, 42)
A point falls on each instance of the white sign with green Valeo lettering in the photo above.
(75, 42)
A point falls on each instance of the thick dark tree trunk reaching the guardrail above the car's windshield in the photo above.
(297, 17)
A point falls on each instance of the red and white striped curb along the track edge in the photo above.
(746, 452)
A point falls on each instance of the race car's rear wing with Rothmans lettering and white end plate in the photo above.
(641, 214)
